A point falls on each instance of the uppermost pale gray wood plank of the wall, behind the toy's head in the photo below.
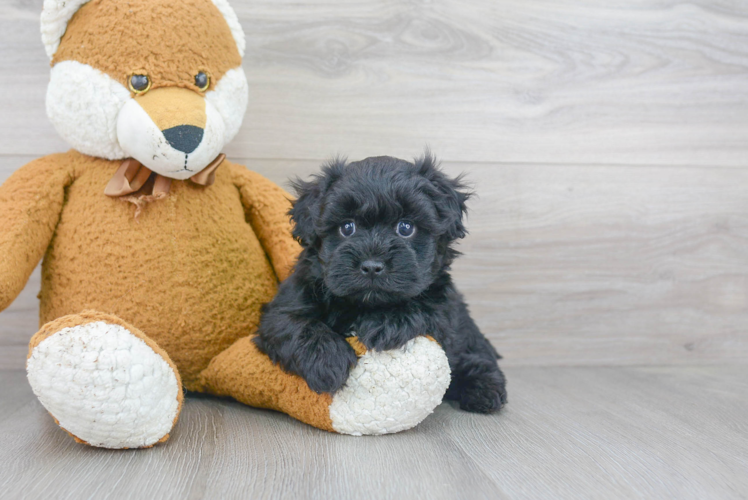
(563, 81)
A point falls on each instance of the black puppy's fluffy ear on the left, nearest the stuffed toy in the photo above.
(308, 205)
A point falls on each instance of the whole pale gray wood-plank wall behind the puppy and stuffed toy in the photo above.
(608, 143)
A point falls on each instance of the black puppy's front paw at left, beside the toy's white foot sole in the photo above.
(326, 364)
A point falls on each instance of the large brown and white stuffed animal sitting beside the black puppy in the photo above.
(158, 253)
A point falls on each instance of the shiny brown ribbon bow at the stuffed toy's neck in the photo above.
(132, 176)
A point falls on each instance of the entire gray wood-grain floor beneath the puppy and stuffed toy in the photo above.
(675, 432)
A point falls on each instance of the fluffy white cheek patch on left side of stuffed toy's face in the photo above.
(83, 105)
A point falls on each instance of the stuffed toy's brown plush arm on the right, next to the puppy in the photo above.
(266, 209)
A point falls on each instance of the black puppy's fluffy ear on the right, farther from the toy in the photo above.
(449, 196)
